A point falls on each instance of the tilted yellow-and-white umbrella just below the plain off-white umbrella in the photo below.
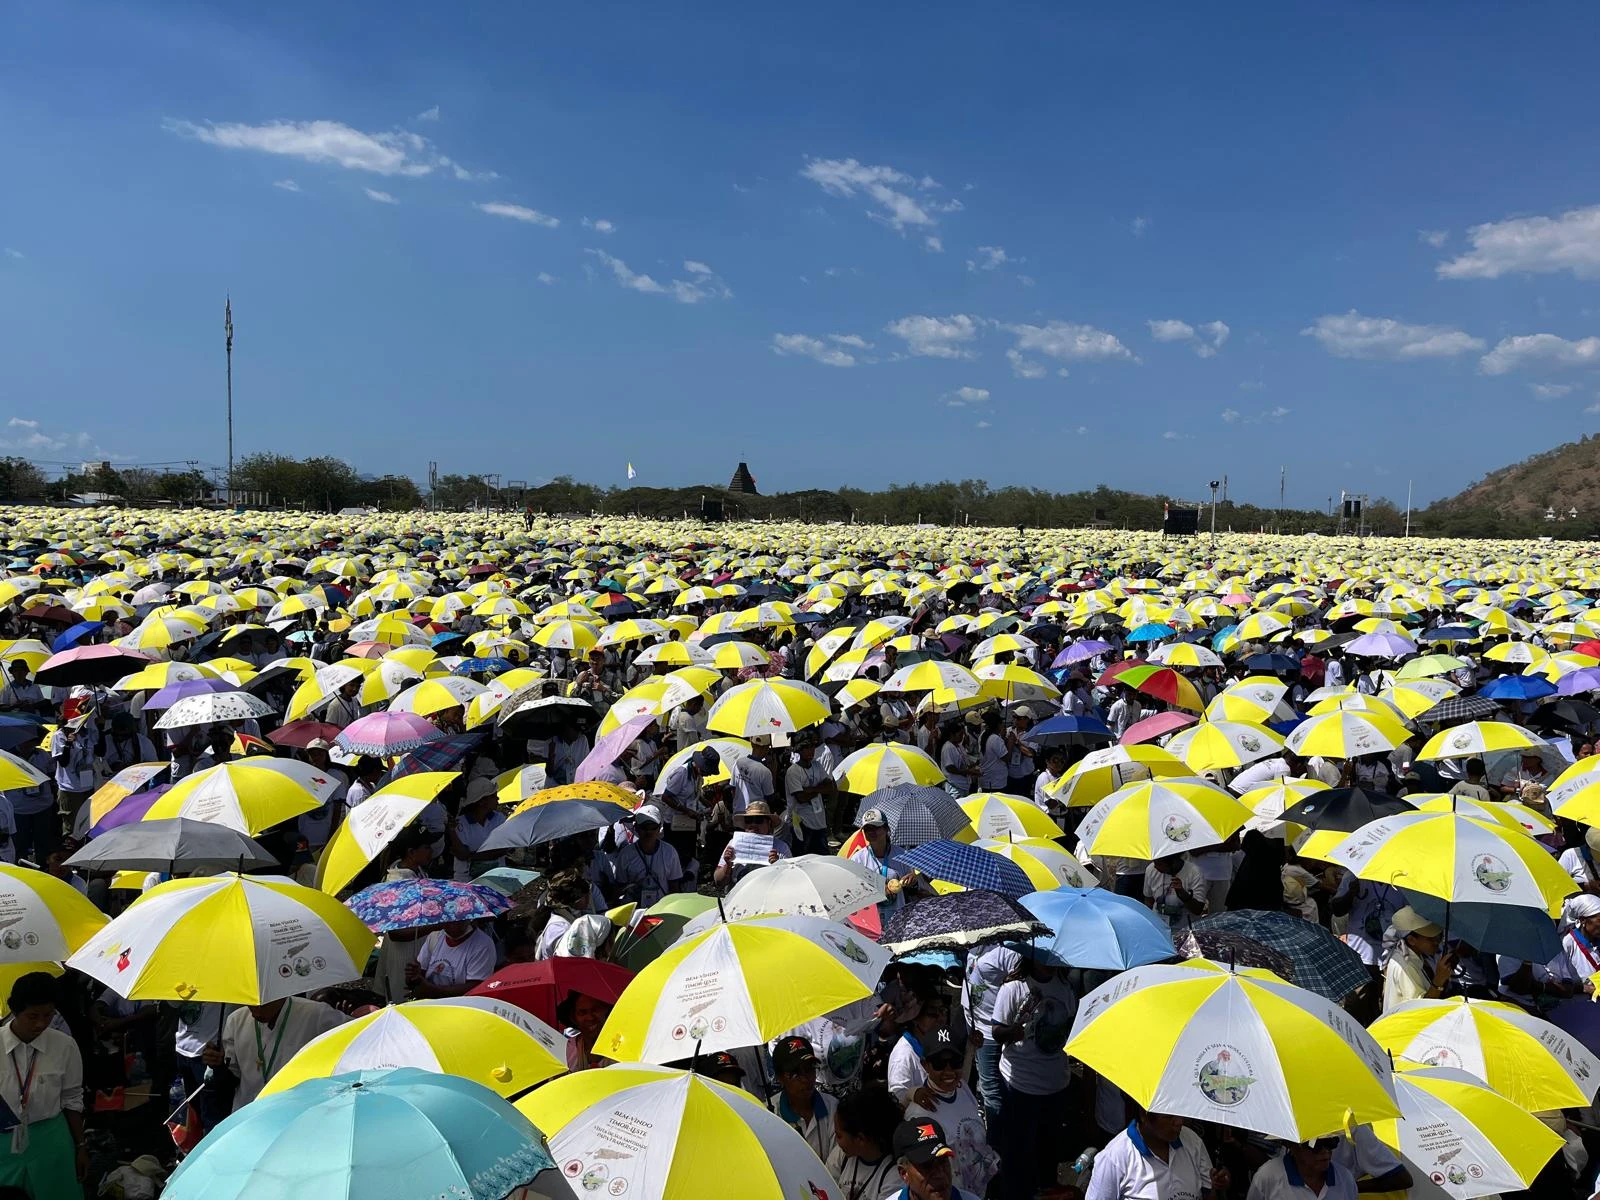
(740, 985)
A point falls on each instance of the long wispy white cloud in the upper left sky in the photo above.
(393, 153)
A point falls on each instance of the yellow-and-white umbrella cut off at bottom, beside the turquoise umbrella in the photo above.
(634, 1129)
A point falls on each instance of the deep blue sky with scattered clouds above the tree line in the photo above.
(852, 244)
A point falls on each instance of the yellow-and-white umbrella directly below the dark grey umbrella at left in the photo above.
(242, 940)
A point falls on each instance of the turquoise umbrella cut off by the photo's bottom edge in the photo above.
(372, 1135)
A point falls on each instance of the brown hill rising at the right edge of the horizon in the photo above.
(1514, 500)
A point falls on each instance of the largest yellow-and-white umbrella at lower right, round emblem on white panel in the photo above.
(1242, 1049)
